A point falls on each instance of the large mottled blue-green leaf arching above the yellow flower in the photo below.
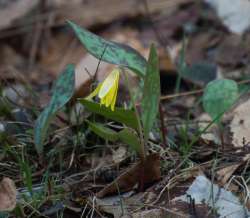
(115, 53)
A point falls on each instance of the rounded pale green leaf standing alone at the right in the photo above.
(219, 96)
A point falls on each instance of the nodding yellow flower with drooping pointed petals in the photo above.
(107, 90)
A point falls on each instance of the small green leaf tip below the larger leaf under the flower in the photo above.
(103, 131)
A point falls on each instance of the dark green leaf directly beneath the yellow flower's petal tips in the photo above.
(121, 115)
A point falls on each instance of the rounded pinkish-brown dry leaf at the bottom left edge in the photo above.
(8, 195)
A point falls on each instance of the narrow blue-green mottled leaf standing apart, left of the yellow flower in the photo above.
(62, 93)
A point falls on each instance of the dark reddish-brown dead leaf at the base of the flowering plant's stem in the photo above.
(132, 176)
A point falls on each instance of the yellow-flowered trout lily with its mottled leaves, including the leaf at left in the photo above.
(135, 124)
